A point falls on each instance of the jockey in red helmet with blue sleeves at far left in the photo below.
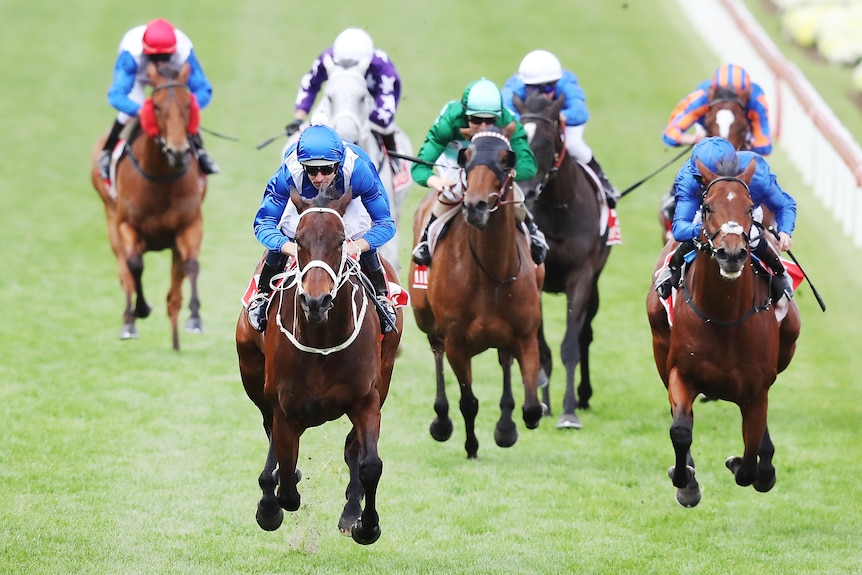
(157, 42)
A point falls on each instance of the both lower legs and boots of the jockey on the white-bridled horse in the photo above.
(258, 307)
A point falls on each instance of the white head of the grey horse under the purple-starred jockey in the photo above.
(349, 103)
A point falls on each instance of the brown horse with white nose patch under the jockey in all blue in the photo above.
(726, 340)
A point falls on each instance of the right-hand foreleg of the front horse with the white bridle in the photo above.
(366, 529)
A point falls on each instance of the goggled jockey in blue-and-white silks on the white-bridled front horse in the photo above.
(320, 160)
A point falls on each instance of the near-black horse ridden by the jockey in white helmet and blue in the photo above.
(564, 201)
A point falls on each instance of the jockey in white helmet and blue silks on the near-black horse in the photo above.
(540, 71)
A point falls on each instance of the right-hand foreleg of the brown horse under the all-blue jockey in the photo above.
(745, 469)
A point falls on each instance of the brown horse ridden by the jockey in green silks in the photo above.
(482, 291)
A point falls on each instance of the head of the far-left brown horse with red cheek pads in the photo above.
(170, 114)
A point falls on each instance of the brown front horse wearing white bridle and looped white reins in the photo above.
(321, 357)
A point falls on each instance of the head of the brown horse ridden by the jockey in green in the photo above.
(488, 162)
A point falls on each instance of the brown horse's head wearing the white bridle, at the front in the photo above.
(321, 254)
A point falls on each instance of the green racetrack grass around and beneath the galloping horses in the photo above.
(125, 457)
